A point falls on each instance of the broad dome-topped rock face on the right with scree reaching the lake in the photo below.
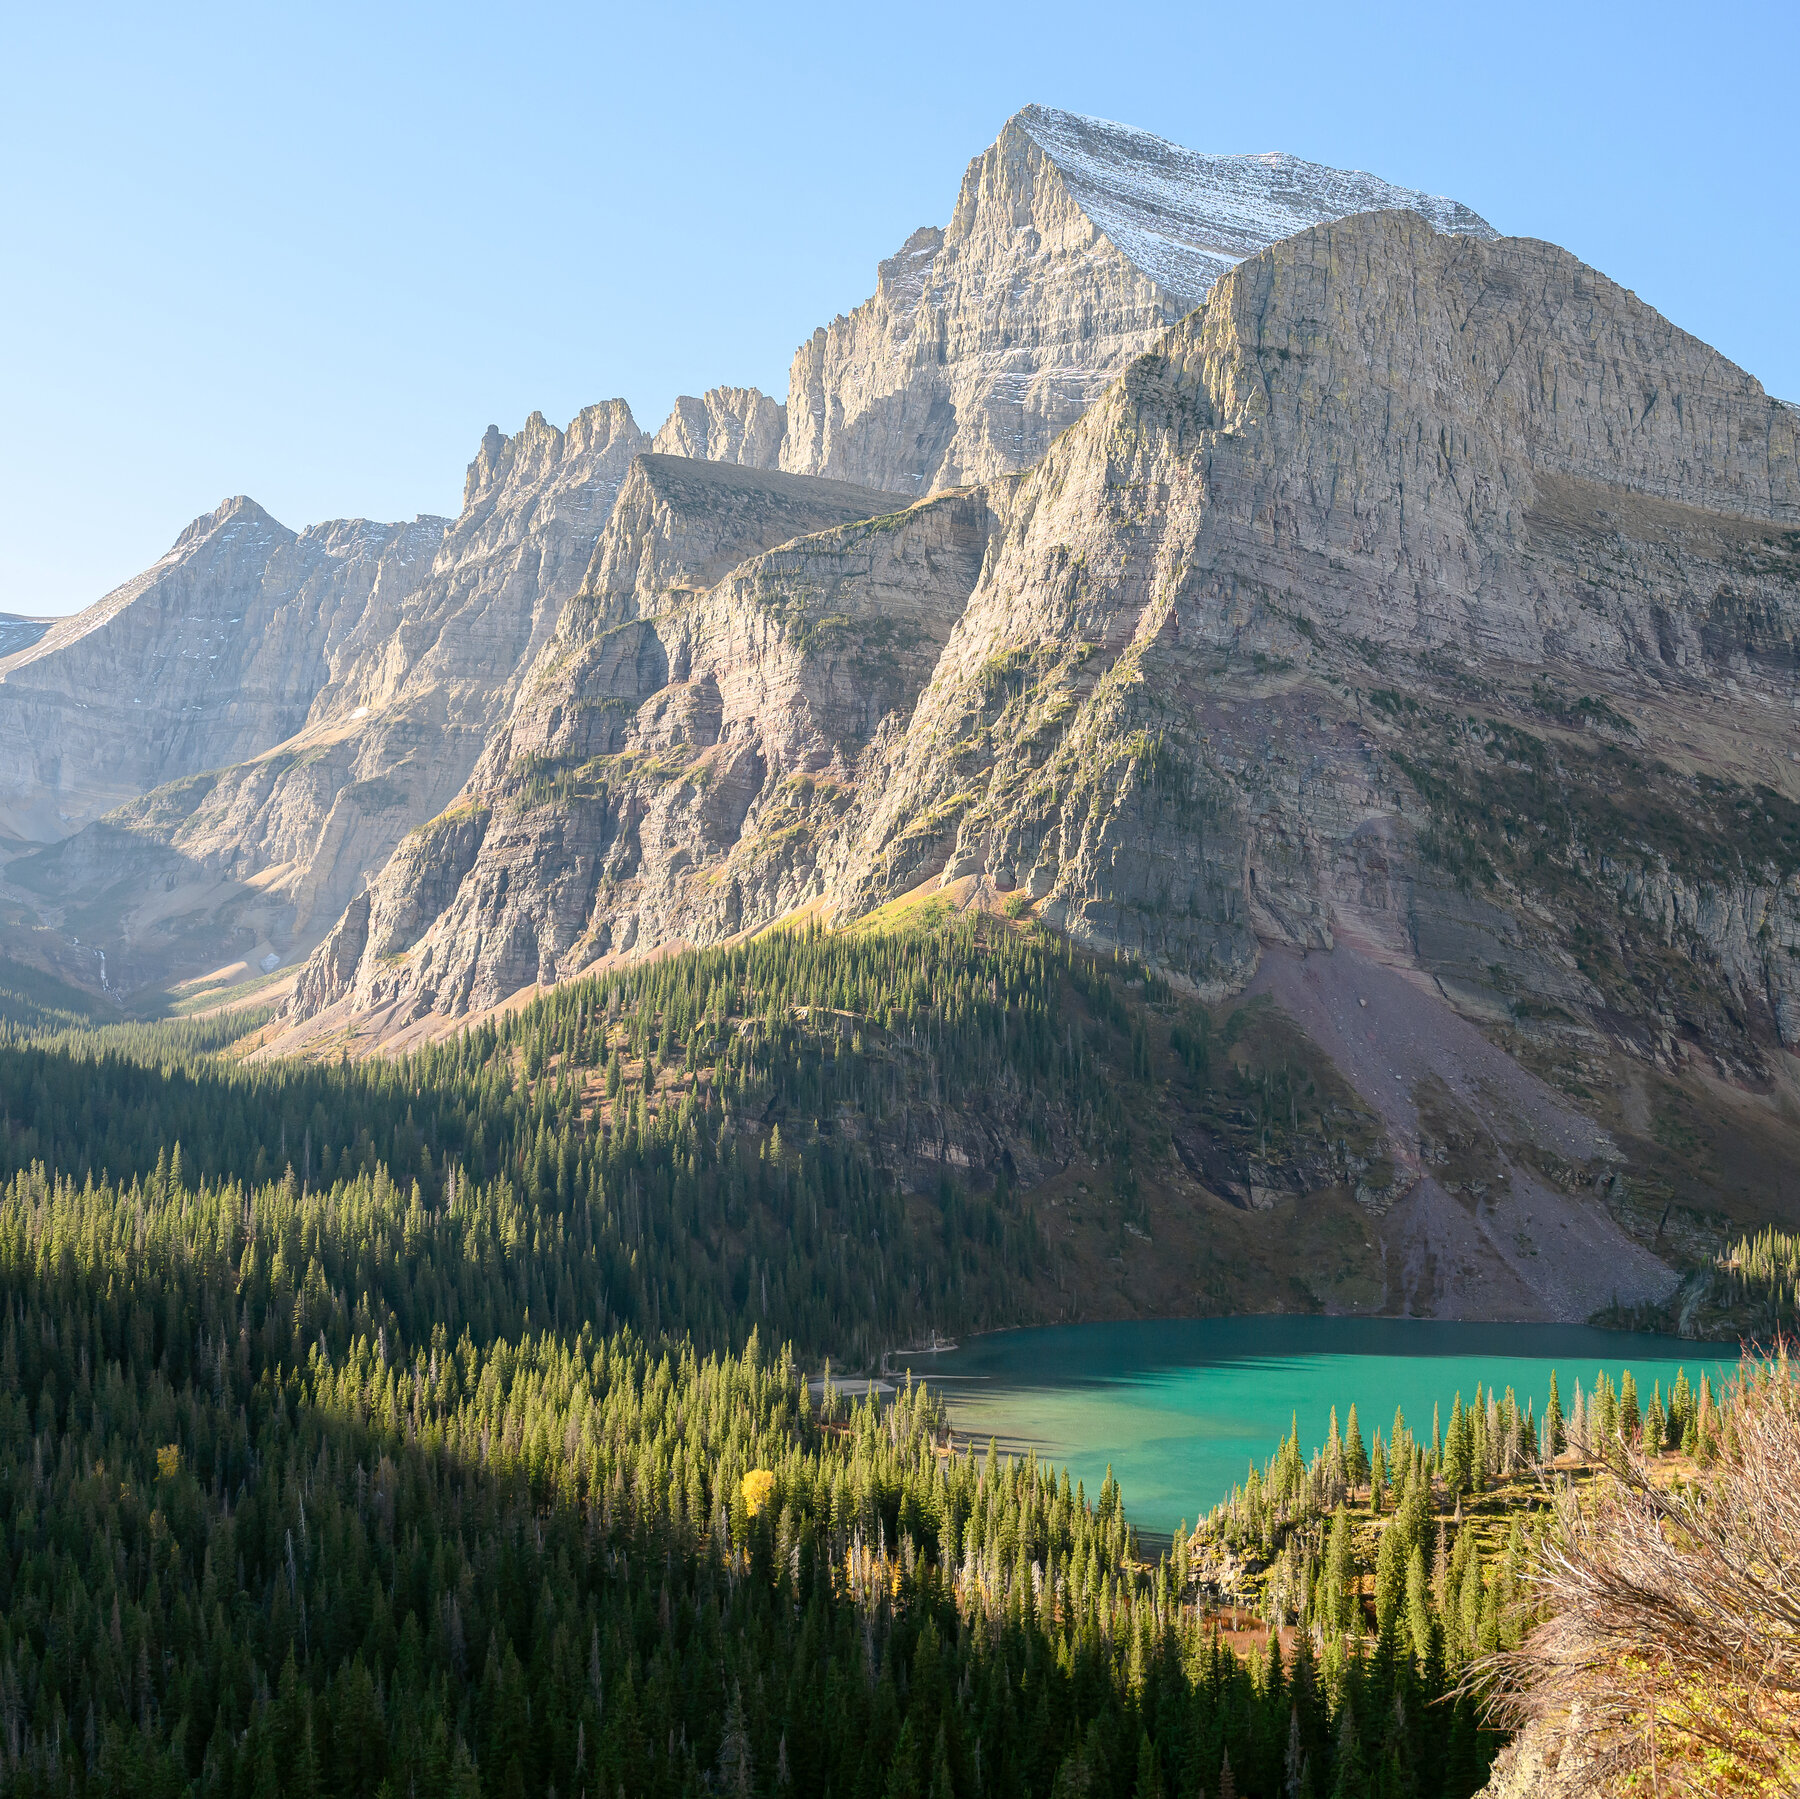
(1358, 620)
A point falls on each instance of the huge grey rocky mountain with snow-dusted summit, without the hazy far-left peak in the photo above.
(1241, 568)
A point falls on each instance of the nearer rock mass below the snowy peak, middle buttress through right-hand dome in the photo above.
(1407, 638)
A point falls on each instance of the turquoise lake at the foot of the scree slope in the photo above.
(1183, 1407)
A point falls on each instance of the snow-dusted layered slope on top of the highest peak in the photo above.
(1185, 217)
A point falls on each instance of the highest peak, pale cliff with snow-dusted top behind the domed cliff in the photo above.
(1075, 244)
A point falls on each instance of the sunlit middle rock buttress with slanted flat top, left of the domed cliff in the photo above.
(683, 750)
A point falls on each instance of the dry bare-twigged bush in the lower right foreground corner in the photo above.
(1671, 1659)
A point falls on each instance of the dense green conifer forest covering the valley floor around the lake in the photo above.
(442, 1424)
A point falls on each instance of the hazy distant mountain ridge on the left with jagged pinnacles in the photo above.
(283, 815)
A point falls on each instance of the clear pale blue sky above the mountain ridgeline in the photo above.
(310, 257)
